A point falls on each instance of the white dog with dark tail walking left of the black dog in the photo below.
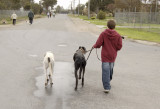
(48, 63)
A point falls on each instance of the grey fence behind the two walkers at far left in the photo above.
(8, 13)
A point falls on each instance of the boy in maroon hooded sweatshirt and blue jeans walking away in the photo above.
(111, 42)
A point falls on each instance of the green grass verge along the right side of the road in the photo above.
(152, 34)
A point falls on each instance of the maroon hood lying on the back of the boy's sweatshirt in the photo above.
(111, 34)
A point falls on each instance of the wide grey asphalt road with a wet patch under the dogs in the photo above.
(135, 84)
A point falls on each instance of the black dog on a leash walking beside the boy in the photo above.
(79, 64)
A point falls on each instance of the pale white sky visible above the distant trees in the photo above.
(67, 3)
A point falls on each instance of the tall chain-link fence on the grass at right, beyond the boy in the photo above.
(149, 21)
